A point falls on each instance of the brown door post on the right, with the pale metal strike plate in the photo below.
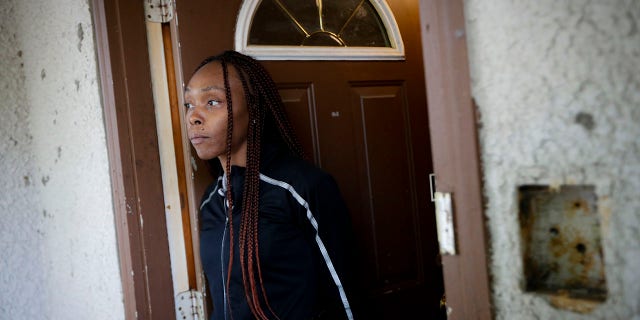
(455, 151)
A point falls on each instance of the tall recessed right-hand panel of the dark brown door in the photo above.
(380, 113)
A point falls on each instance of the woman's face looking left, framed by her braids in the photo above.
(206, 116)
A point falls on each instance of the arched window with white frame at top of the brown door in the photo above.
(318, 30)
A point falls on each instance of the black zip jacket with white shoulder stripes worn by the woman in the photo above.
(305, 242)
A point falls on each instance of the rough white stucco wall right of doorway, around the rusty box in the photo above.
(557, 84)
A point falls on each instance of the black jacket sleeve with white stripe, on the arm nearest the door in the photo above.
(339, 294)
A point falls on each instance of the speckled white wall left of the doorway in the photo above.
(57, 233)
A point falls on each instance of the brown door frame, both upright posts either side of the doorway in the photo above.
(136, 176)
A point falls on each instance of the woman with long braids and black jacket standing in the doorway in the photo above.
(275, 235)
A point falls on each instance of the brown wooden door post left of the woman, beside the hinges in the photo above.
(134, 160)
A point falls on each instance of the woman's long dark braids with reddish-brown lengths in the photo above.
(267, 123)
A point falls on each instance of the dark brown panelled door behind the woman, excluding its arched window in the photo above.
(366, 123)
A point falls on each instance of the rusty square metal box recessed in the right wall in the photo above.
(561, 239)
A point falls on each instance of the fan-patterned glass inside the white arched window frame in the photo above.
(318, 23)
